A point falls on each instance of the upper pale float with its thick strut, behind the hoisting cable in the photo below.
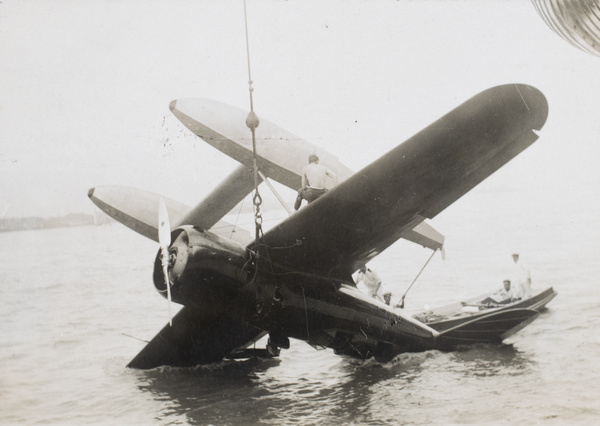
(281, 156)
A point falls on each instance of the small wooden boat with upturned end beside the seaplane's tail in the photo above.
(472, 321)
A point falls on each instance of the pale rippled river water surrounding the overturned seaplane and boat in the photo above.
(76, 301)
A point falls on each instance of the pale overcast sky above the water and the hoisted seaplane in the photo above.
(85, 88)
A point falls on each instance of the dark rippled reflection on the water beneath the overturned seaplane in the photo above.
(307, 386)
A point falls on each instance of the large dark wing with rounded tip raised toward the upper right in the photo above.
(365, 214)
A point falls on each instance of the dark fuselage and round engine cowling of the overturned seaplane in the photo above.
(223, 277)
